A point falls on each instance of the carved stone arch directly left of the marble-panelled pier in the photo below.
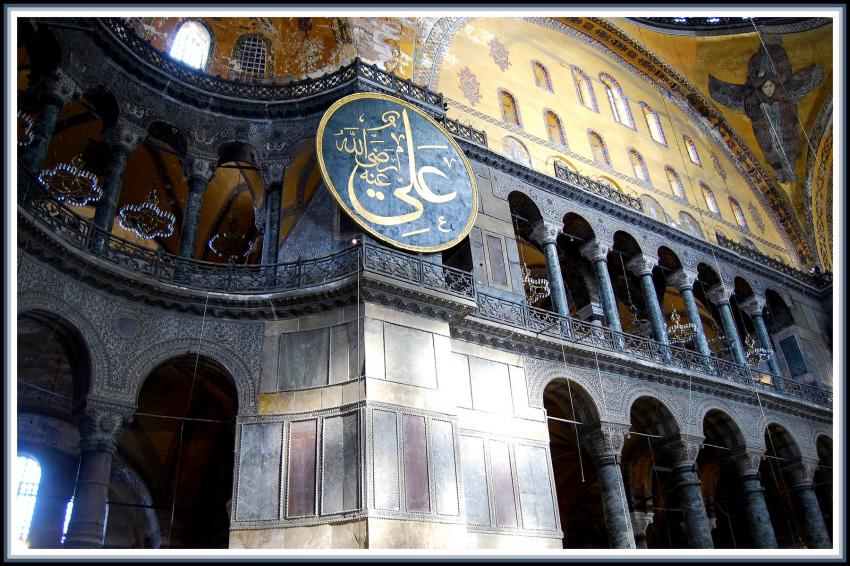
(237, 368)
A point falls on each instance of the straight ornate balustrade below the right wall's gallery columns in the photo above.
(554, 325)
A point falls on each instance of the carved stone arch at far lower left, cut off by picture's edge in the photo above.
(87, 333)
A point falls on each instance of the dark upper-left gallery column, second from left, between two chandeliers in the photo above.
(122, 139)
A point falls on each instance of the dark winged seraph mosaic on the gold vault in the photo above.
(769, 99)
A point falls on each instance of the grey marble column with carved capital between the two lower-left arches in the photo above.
(100, 428)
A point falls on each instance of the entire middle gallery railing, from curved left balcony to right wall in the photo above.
(63, 223)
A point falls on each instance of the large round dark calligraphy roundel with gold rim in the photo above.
(397, 172)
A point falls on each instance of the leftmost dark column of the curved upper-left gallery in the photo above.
(54, 90)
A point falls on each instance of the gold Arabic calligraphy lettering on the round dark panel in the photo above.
(378, 162)
